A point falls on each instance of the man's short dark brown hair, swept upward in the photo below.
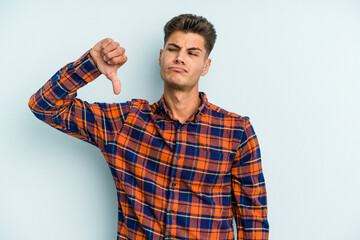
(194, 24)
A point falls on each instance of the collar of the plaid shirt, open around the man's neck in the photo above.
(195, 117)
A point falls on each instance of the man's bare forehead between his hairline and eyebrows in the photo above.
(186, 40)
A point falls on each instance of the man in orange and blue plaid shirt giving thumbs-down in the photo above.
(183, 167)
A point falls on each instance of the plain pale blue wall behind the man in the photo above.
(293, 67)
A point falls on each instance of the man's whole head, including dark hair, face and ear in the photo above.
(189, 40)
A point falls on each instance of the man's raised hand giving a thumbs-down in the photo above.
(108, 57)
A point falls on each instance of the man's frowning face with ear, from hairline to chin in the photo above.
(183, 61)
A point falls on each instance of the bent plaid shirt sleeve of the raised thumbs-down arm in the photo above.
(56, 104)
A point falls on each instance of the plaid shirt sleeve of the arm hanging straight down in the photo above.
(248, 189)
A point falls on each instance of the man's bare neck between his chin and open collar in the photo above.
(182, 104)
